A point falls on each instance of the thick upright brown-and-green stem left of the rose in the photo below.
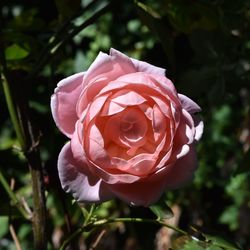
(17, 103)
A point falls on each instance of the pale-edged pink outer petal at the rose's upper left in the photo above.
(63, 103)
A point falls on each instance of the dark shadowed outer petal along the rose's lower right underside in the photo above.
(150, 189)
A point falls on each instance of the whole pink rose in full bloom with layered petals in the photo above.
(131, 134)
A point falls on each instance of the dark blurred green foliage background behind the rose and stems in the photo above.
(205, 47)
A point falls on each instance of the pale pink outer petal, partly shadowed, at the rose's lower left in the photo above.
(83, 186)
